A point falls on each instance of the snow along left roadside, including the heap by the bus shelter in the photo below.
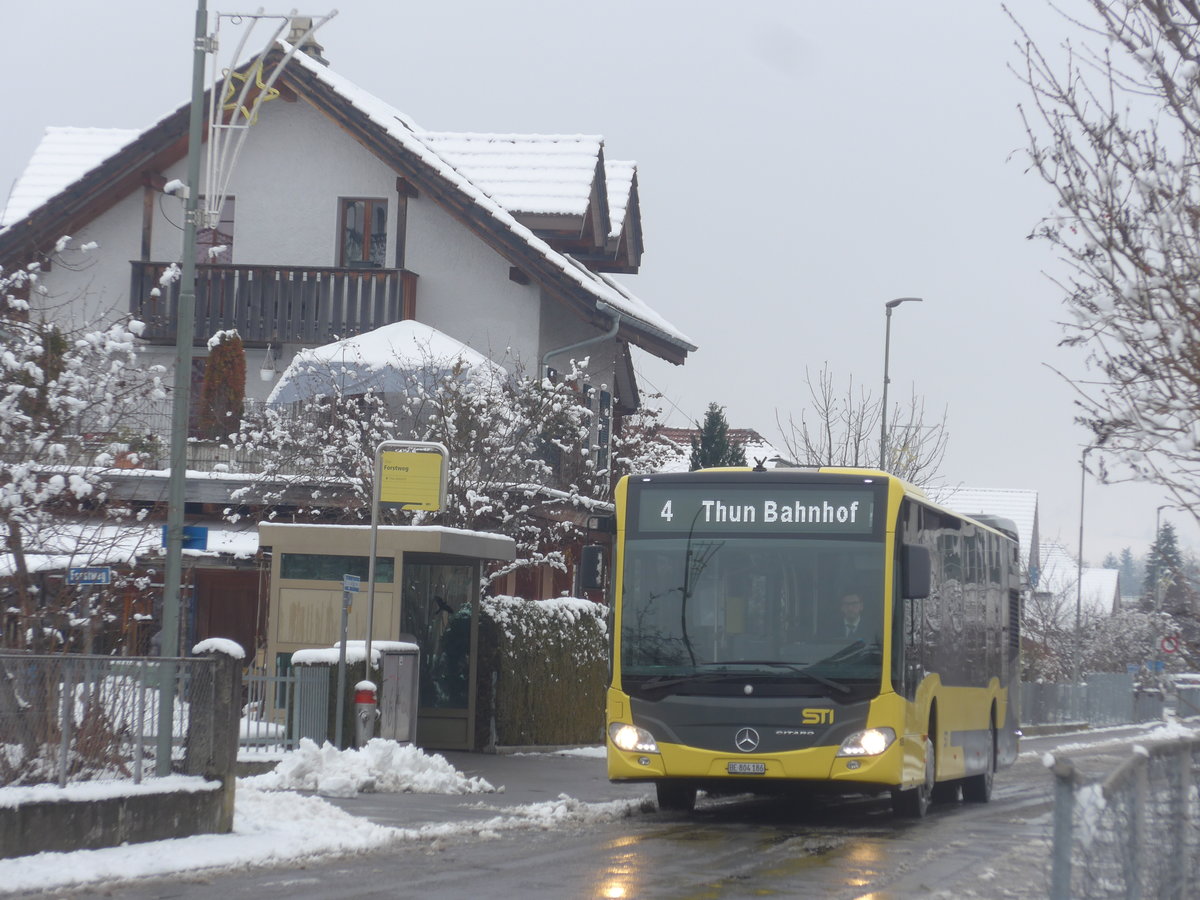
(275, 826)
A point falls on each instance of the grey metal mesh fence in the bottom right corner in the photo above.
(1136, 835)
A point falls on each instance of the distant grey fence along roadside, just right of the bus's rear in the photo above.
(1103, 699)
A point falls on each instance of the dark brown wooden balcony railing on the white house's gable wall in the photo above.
(281, 304)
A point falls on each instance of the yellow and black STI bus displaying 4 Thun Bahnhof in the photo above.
(741, 663)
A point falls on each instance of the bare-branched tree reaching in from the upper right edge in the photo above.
(1114, 128)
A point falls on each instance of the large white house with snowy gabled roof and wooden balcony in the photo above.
(343, 215)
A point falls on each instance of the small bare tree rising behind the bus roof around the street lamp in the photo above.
(843, 429)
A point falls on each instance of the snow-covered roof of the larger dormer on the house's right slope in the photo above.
(525, 173)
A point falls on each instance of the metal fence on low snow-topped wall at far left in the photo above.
(76, 718)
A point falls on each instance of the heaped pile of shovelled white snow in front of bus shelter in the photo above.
(382, 766)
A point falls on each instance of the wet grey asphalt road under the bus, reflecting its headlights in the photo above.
(729, 848)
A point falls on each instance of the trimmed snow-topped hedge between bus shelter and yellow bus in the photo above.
(551, 665)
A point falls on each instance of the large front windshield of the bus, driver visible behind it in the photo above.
(805, 609)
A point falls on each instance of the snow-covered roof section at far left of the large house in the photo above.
(63, 158)
